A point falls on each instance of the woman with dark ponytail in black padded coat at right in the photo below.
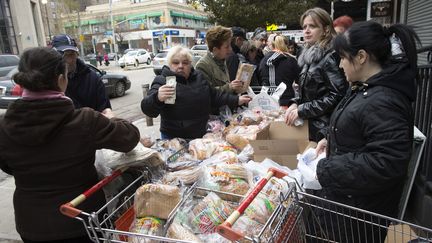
(371, 130)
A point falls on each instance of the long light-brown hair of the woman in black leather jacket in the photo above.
(321, 17)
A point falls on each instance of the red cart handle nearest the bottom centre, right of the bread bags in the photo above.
(225, 229)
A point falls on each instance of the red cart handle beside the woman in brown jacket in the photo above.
(69, 209)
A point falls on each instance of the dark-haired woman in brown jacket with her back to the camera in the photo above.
(49, 148)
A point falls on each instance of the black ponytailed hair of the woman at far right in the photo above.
(375, 40)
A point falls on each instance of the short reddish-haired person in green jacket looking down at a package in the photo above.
(213, 64)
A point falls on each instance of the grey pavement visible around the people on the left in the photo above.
(127, 107)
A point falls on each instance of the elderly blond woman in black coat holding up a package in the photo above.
(194, 98)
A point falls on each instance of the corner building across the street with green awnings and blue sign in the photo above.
(149, 24)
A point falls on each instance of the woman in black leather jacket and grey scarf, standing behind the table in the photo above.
(321, 84)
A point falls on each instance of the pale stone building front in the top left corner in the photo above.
(21, 26)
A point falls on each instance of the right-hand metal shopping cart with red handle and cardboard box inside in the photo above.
(303, 217)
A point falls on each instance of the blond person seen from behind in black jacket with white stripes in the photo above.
(278, 66)
